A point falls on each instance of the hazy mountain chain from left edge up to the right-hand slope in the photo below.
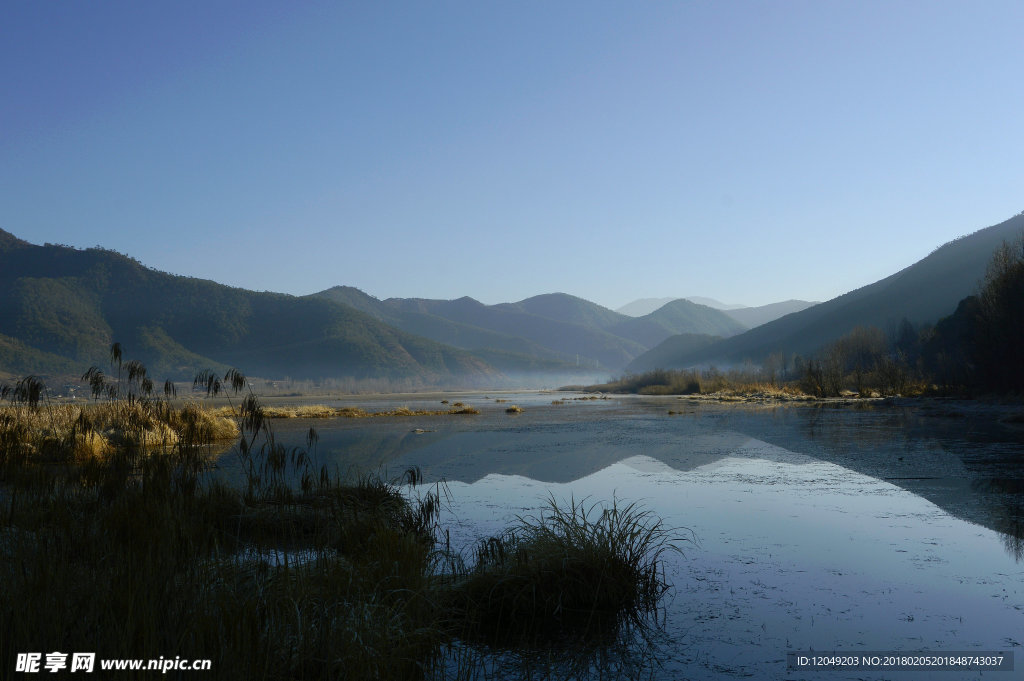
(62, 308)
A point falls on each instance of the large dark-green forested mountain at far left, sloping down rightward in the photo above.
(62, 308)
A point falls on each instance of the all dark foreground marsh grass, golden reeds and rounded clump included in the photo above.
(115, 538)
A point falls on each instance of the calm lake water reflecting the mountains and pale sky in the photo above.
(818, 527)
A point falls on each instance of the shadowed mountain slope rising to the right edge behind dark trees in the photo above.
(924, 292)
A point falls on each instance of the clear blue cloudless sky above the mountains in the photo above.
(750, 152)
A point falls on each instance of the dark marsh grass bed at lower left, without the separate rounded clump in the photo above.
(136, 552)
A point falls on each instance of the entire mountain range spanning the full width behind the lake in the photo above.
(62, 308)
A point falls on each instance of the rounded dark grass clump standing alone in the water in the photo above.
(573, 573)
